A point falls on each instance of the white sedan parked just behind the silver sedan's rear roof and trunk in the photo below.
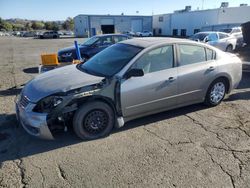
(220, 40)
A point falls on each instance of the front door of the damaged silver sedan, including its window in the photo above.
(154, 91)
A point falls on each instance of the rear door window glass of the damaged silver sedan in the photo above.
(190, 54)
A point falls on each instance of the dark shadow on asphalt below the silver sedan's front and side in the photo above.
(16, 143)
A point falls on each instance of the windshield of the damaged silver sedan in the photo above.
(111, 60)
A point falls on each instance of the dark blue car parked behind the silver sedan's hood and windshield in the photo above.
(91, 47)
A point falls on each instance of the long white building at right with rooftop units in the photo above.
(187, 22)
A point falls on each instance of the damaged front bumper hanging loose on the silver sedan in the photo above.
(34, 123)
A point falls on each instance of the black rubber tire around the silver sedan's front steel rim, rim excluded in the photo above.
(83, 111)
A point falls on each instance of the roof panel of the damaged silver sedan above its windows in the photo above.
(151, 41)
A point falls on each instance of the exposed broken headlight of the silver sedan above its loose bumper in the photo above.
(47, 104)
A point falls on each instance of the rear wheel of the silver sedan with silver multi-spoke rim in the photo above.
(216, 92)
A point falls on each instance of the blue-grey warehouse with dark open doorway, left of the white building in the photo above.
(89, 25)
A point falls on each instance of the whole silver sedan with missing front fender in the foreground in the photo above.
(130, 79)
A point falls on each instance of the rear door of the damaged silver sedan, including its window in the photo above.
(196, 70)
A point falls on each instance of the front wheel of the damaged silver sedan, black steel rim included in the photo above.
(86, 124)
